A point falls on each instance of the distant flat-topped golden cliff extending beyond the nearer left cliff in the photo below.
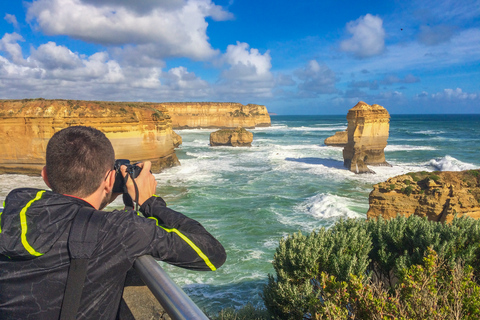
(216, 115)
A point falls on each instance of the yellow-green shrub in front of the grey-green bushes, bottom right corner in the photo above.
(428, 291)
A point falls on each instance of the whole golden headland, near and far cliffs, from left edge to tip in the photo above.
(139, 131)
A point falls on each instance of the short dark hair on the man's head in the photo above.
(77, 160)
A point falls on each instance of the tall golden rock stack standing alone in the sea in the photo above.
(368, 129)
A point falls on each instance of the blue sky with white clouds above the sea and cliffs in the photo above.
(302, 57)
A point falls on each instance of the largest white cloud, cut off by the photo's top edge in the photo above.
(173, 28)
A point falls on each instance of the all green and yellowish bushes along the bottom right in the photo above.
(403, 268)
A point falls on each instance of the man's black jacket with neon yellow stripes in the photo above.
(34, 258)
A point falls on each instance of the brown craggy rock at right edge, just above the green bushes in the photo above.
(435, 195)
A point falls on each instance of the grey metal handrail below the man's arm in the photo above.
(173, 299)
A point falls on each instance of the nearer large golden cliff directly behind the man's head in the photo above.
(138, 131)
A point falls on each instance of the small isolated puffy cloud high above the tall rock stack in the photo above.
(368, 37)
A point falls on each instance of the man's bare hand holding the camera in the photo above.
(146, 183)
